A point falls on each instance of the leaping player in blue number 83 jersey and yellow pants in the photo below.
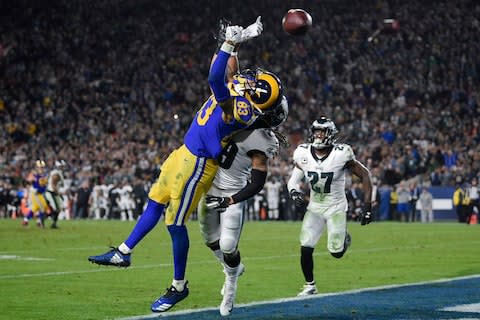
(188, 172)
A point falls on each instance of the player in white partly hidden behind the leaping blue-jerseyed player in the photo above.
(221, 215)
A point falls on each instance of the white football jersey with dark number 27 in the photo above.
(326, 176)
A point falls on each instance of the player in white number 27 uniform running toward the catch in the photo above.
(323, 163)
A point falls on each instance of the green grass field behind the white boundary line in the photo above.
(44, 274)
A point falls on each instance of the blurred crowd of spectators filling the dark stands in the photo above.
(110, 86)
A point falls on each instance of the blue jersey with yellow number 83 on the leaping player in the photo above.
(209, 132)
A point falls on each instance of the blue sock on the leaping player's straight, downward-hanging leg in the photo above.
(180, 244)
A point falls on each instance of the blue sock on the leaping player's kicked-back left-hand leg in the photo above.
(147, 221)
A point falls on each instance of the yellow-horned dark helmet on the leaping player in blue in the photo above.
(260, 87)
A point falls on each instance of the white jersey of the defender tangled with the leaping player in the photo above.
(238, 166)
